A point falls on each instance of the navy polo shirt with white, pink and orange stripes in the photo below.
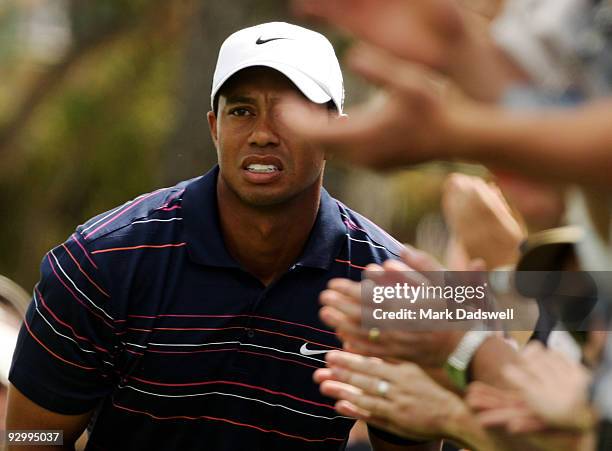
(143, 317)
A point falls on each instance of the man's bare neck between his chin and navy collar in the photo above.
(267, 241)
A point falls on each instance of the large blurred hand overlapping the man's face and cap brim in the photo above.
(409, 124)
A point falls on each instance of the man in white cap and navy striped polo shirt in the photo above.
(188, 317)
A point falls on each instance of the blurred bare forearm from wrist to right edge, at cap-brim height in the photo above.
(570, 145)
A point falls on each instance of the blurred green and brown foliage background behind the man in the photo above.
(102, 101)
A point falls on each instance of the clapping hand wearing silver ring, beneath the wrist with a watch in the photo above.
(413, 406)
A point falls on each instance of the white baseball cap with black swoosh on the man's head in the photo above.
(304, 56)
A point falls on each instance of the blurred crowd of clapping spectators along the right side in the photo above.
(522, 87)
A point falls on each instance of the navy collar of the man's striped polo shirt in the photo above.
(202, 228)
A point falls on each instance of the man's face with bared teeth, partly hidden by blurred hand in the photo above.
(260, 161)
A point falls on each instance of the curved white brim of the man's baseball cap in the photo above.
(310, 88)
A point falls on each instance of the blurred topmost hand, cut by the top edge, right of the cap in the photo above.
(439, 34)
